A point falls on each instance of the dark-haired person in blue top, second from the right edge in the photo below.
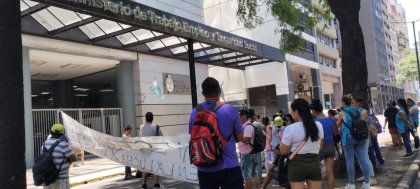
(404, 125)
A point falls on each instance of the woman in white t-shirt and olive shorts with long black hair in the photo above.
(305, 166)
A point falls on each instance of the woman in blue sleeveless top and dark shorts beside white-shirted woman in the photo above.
(327, 152)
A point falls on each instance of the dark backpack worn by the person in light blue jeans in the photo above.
(359, 129)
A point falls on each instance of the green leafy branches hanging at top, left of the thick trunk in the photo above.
(292, 17)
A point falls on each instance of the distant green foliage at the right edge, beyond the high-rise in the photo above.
(407, 69)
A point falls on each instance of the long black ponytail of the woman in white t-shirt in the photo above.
(311, 129)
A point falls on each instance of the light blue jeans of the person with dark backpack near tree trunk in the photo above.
(360, 148)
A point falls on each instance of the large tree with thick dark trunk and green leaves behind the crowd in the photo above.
(290, 14)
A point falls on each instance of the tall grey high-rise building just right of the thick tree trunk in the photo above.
(382, 52)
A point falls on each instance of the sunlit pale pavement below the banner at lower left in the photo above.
(93, 169)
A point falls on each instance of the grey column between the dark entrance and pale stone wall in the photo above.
(125, 91)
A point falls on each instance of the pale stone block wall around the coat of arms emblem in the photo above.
(173, 112)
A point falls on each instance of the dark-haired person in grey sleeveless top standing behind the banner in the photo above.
(148, 129)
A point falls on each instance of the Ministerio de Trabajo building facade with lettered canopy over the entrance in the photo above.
(138, 56)
